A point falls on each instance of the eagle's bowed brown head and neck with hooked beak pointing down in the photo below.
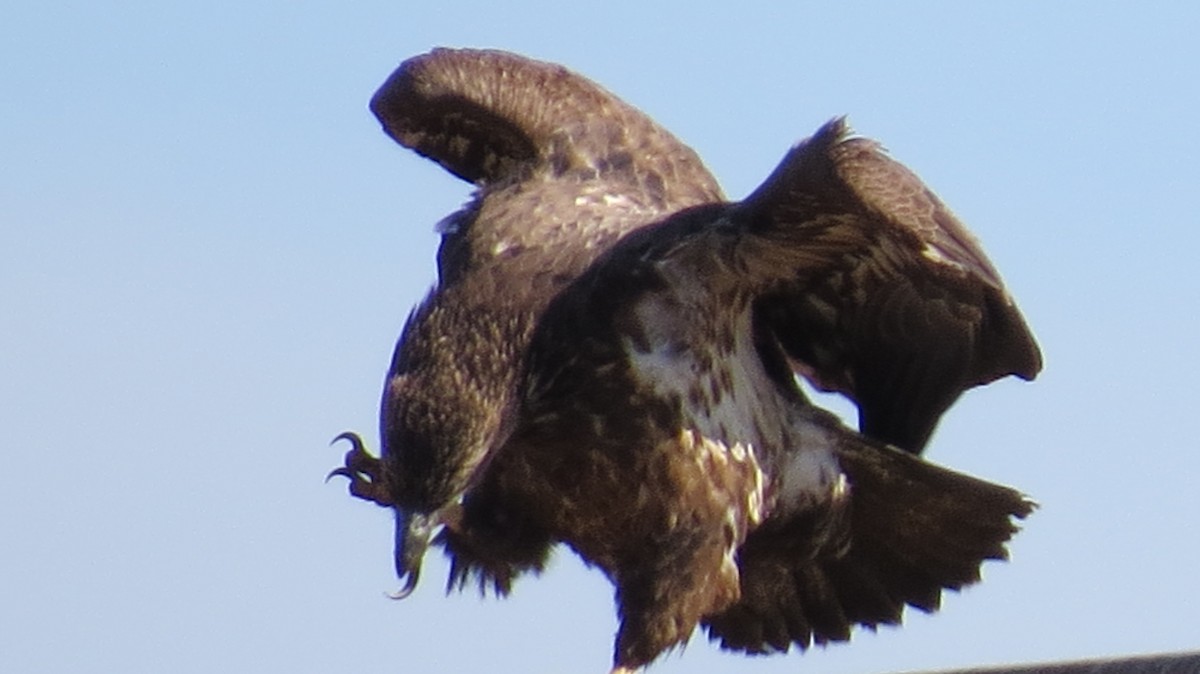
(447, 402)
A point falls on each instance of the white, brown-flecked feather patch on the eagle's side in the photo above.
(692, 344)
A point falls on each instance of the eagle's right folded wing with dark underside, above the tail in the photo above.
(875, 290)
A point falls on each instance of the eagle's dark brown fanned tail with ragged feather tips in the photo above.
(915, 529)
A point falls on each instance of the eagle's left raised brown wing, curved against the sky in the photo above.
(493, 117)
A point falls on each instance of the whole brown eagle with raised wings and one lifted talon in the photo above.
(611, 354)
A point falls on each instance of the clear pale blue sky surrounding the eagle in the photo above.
(208, 249)
